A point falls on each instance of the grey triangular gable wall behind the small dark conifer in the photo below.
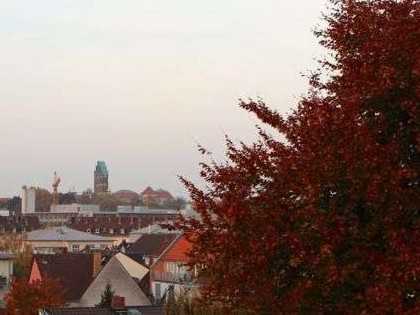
(121, 282)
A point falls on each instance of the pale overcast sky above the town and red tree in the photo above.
(139, 83)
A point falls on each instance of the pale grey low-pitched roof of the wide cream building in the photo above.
(63, 233)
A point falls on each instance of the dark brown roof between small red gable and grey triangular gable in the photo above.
(75, 272)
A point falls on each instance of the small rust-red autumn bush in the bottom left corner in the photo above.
(28, 298)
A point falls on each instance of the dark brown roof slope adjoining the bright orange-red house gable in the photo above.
(152, 244)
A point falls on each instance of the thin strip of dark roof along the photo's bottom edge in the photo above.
(144, 310)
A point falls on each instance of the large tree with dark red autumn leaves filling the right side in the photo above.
(324, 217)
